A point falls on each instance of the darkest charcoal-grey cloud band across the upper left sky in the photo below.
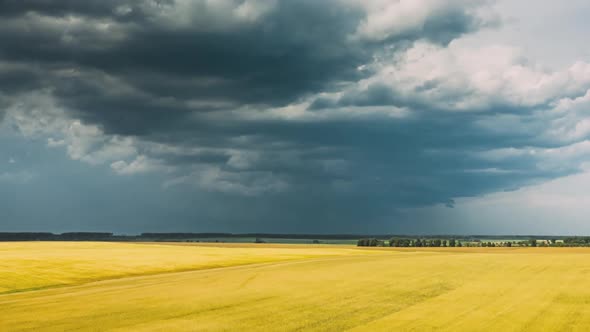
(300, 47)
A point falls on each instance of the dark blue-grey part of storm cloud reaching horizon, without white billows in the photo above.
(191, 86)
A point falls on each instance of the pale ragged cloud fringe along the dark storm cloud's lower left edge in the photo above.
(37, 116)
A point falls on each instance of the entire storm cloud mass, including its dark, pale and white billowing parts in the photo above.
(300, 115)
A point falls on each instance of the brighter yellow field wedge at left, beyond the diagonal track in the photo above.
(36, 265)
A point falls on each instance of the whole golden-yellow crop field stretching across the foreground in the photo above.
(58, 286)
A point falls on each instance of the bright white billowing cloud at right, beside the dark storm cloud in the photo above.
(463, 78)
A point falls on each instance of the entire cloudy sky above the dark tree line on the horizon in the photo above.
(335, 116)
